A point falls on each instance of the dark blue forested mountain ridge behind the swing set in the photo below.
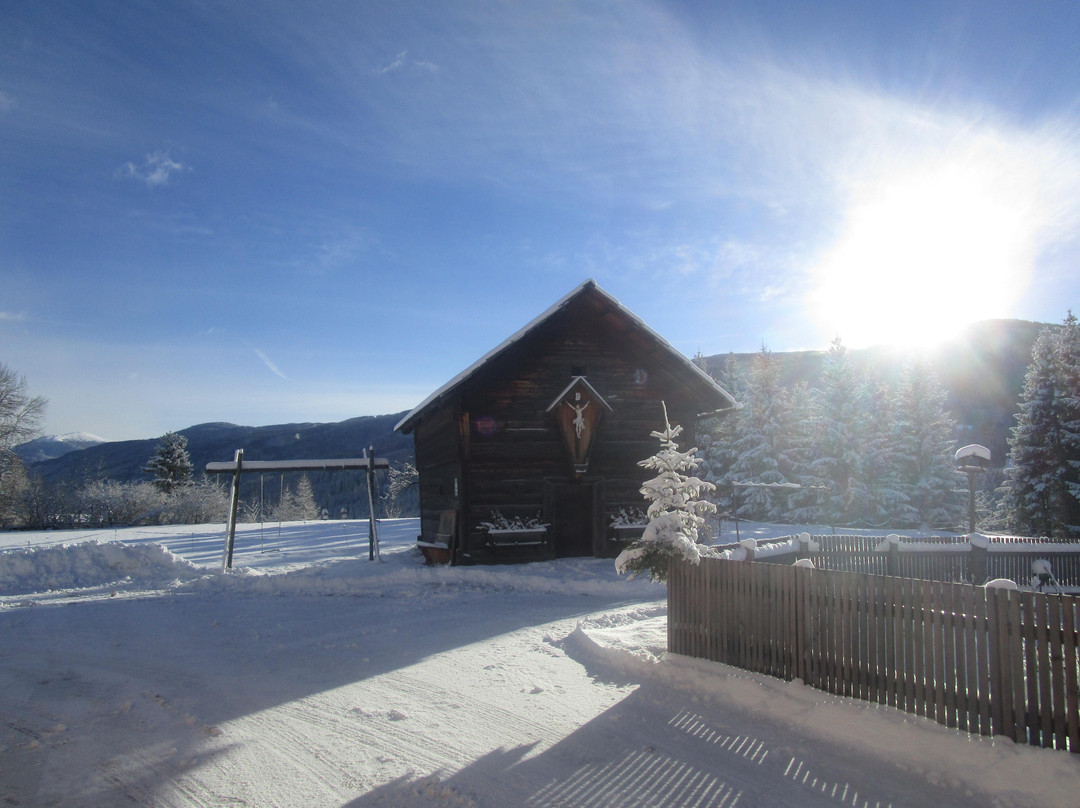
(125, 461)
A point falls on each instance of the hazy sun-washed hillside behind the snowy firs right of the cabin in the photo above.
(982, 371)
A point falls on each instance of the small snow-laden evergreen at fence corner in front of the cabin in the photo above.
(676, 513)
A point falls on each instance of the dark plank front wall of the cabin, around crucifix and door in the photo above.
(515, 443)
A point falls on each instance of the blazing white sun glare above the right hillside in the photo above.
(921, 257)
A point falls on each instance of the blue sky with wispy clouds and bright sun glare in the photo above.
(278, 212)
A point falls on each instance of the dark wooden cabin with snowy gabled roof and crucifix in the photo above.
(548, 429)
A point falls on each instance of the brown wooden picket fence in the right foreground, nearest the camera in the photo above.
(989, 662)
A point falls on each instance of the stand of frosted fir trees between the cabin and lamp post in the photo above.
(882, 447)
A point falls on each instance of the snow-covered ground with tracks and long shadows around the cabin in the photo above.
(132, 672)
